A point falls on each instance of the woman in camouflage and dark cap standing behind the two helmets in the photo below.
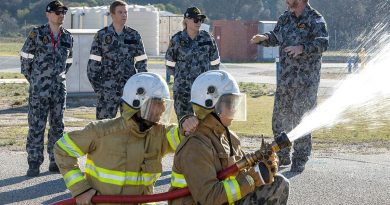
(190, 53)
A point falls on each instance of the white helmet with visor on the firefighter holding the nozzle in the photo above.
(218, 90)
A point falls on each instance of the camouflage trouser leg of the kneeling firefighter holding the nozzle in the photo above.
(273, 194)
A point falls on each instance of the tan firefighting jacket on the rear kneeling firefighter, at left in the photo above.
(121, 160)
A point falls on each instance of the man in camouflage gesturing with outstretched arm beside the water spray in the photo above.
(302, 36)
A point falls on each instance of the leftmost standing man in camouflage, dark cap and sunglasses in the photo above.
(45, 59)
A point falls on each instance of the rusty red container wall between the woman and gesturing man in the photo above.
(233, 40)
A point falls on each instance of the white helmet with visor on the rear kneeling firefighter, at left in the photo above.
(149, 93)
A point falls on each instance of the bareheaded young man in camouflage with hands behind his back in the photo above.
(117, 52)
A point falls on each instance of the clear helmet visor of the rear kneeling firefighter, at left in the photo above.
(157, 110)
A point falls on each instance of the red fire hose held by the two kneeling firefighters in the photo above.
(148, 198)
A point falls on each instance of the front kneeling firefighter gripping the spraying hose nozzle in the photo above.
(216, 101)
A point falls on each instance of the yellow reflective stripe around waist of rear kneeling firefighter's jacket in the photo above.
(120, 178)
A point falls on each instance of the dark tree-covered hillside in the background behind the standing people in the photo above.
(349, 21)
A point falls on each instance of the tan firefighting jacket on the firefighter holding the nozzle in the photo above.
(200, 157)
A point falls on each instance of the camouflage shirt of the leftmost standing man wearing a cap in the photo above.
(44, 63)
